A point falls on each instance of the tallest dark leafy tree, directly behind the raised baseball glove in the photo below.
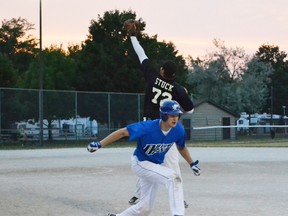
(108, 62)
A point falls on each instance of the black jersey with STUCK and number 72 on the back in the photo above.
(158, 89)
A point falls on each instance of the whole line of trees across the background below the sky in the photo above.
(105, 62)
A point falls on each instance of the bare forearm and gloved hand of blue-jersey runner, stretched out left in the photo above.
(116, 135)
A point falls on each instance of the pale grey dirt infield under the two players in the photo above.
(234, 181)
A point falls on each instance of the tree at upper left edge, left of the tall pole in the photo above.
(19, 48)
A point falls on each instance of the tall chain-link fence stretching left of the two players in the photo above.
(67, 115)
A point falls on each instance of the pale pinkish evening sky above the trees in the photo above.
(191, 25)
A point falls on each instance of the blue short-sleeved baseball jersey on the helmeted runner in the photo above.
(152, 144)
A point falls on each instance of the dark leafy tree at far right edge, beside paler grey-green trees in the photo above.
(278, 87)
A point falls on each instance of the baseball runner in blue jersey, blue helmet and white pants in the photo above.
(154, 139)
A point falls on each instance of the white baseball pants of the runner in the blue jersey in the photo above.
(151, 176)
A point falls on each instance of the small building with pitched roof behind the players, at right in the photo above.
(210, 121)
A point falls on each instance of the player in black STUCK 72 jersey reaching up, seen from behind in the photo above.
(161, 86)
